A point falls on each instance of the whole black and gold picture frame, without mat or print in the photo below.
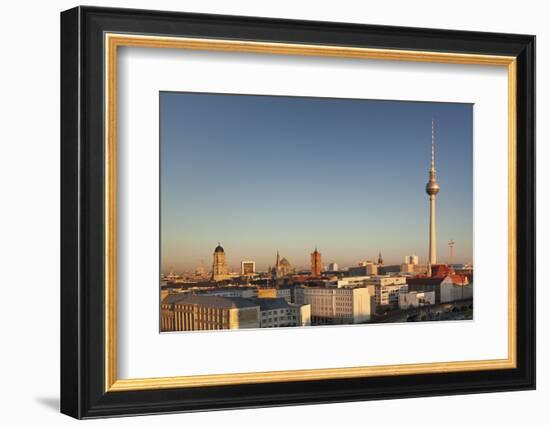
(90, 39)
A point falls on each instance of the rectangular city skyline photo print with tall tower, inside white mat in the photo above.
(282, 211)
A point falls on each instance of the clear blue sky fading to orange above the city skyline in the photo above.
(261, 173)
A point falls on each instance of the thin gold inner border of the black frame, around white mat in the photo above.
(113, 40)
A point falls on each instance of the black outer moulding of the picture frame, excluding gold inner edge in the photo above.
(82, 215)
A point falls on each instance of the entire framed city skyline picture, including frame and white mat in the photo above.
(261, 212)
